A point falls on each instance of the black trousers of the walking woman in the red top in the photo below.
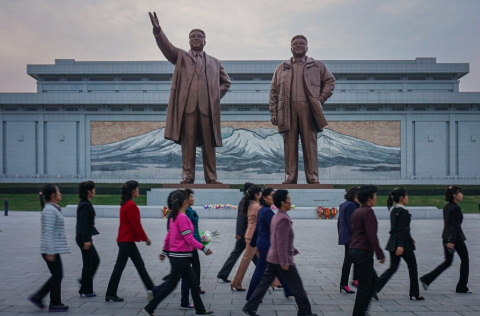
(127, 250)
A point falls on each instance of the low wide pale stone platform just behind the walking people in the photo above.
(112, 211)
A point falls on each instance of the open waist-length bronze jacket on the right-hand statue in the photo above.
(319, 84)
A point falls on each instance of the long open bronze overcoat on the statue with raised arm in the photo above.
(217, 80)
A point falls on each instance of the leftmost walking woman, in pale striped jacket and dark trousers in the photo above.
(53, 244)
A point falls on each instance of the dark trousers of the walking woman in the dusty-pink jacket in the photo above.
(292, 280)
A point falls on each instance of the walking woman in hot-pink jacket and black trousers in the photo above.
(178, 246)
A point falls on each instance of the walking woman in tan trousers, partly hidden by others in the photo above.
(250, 206)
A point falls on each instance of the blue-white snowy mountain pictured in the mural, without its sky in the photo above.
(257, 151)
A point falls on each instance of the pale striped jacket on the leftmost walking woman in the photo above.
(53, 239)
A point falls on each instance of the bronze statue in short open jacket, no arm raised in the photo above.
(300, 86)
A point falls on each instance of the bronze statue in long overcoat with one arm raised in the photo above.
(193, 114)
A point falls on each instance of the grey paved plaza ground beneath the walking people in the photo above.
(22, 271)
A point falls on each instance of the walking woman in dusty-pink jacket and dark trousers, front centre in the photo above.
(280, 261)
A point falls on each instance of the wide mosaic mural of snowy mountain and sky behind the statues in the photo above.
(251, 150)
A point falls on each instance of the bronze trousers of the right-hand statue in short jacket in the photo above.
(301, 124)
